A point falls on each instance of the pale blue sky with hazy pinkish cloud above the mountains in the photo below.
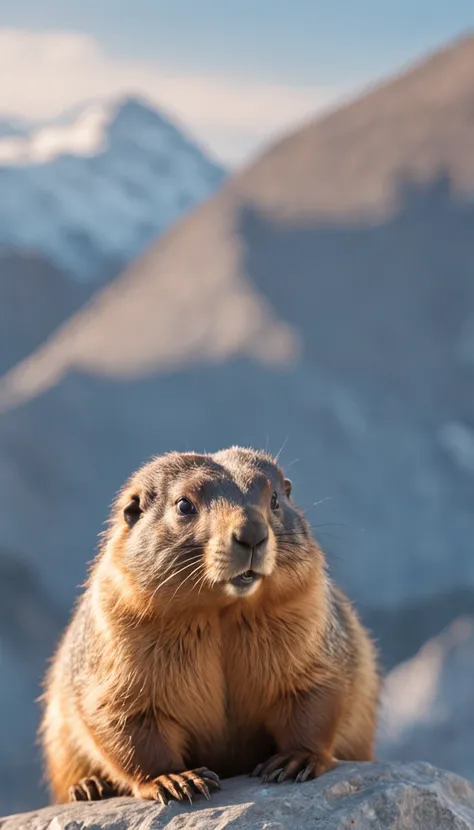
(235, 72)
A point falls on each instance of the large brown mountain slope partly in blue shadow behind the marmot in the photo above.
(321, 302)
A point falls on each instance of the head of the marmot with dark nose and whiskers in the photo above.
(195, 527)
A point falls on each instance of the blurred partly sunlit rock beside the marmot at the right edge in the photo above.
(427, 707)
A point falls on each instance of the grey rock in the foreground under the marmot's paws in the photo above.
(353, 796)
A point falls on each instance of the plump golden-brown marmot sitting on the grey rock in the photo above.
(209, 642)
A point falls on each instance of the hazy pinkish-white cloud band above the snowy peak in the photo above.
(43, 73)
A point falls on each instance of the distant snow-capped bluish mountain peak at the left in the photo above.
(91, 189)
